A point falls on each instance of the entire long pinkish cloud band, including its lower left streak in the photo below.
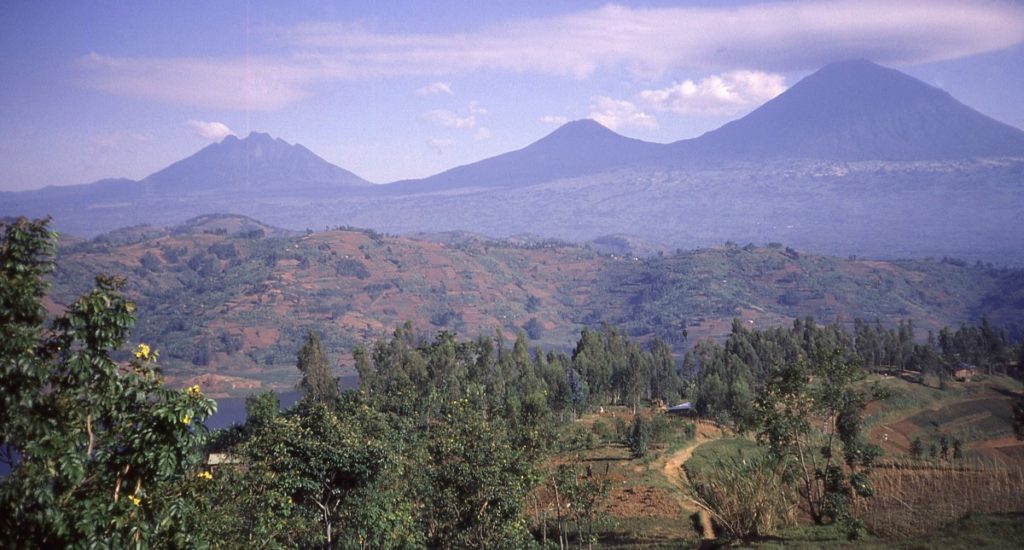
(650, 43)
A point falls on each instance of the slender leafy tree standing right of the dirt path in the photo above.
(809, 415)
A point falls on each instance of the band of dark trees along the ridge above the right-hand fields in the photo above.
(722, 379)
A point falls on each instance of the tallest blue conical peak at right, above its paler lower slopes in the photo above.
(859, 111)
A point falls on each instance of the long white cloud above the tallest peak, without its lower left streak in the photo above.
(777, 35)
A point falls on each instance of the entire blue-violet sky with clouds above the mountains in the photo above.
(393, 91)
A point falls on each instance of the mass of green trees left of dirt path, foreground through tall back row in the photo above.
(439, 448)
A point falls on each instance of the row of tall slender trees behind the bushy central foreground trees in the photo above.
(606, 368)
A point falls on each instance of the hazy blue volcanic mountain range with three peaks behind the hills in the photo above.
(856, 159)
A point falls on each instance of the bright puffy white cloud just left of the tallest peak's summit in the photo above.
(728, 94)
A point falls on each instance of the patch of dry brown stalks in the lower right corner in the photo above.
(913, 499)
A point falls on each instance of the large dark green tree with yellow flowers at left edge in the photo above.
(101, 452)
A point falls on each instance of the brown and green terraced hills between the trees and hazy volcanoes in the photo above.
(230, 298)
